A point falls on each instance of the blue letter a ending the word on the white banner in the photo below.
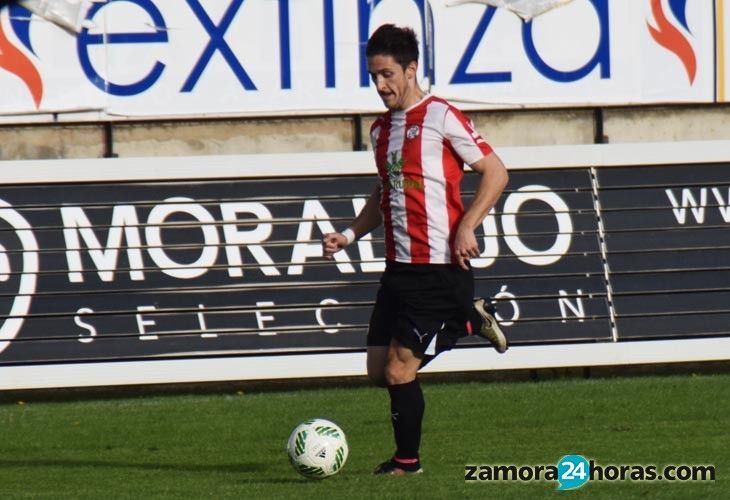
(602, 56)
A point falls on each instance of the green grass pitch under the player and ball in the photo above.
(232, 445)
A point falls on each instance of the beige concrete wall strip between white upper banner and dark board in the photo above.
(345, 133)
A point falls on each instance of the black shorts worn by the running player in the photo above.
(423, 306)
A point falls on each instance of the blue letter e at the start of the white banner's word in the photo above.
(84, 40)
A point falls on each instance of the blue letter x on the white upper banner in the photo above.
(217, 43)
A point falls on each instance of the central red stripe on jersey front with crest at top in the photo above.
(414, 187)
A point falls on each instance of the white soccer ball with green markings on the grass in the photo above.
(317, 448)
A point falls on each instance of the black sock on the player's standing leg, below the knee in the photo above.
(407, 407)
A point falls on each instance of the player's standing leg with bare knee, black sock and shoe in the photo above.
(407, 407)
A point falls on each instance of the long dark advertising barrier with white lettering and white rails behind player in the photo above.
(195, 269)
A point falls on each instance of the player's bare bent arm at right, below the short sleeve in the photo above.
(493, 179)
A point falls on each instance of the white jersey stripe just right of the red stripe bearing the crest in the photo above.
(432, 148)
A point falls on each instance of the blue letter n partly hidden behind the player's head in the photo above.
(365, 11)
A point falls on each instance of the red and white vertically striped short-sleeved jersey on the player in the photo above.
(420, 154)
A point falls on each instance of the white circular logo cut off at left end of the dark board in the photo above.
(28, 276)
